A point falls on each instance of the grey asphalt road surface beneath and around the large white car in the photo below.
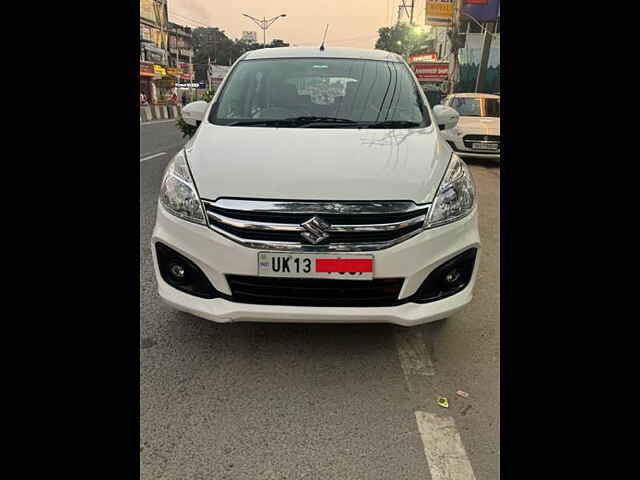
(279, 401)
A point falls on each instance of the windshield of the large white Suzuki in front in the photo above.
(320, 92)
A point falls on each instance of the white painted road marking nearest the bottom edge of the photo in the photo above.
(443, 448)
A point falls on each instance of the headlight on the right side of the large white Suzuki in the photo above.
(455, 197)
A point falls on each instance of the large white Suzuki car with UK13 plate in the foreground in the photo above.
(317, 188)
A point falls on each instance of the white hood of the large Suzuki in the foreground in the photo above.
(317, 163)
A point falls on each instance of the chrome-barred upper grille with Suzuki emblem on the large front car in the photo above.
(315, 226)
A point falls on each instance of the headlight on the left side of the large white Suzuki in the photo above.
(178, 192)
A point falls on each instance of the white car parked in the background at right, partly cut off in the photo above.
(477, 133)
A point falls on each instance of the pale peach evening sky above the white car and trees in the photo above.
(352, 23)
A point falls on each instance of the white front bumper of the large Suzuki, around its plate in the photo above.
(412, 260)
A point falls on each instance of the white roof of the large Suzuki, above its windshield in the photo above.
(328, 52)
